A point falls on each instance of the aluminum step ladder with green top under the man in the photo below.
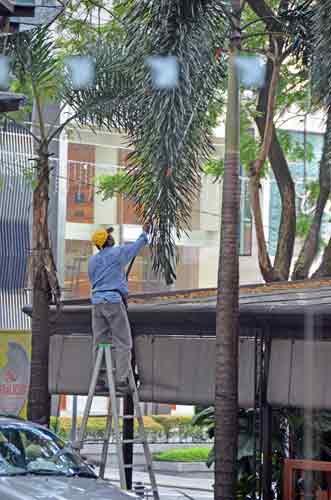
(104, 354)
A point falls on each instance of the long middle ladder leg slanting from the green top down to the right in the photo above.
(112, 394)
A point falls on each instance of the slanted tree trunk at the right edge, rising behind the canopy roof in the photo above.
(309, 249)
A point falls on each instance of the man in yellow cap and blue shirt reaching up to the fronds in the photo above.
(109, 286)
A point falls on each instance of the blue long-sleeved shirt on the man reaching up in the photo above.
(106, 270)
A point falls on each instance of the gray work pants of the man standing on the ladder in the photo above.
(110, 324)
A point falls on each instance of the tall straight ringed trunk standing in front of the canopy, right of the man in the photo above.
(227, 321)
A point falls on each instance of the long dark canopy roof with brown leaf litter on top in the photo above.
(282, 308)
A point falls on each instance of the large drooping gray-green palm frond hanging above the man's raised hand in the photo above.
(170, 129)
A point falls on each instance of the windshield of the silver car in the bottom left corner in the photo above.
(32, 450)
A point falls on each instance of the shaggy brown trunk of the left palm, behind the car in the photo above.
(44, 284)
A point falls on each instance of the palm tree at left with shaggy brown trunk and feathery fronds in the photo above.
(38, 66)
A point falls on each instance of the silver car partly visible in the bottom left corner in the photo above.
(37, 464)
